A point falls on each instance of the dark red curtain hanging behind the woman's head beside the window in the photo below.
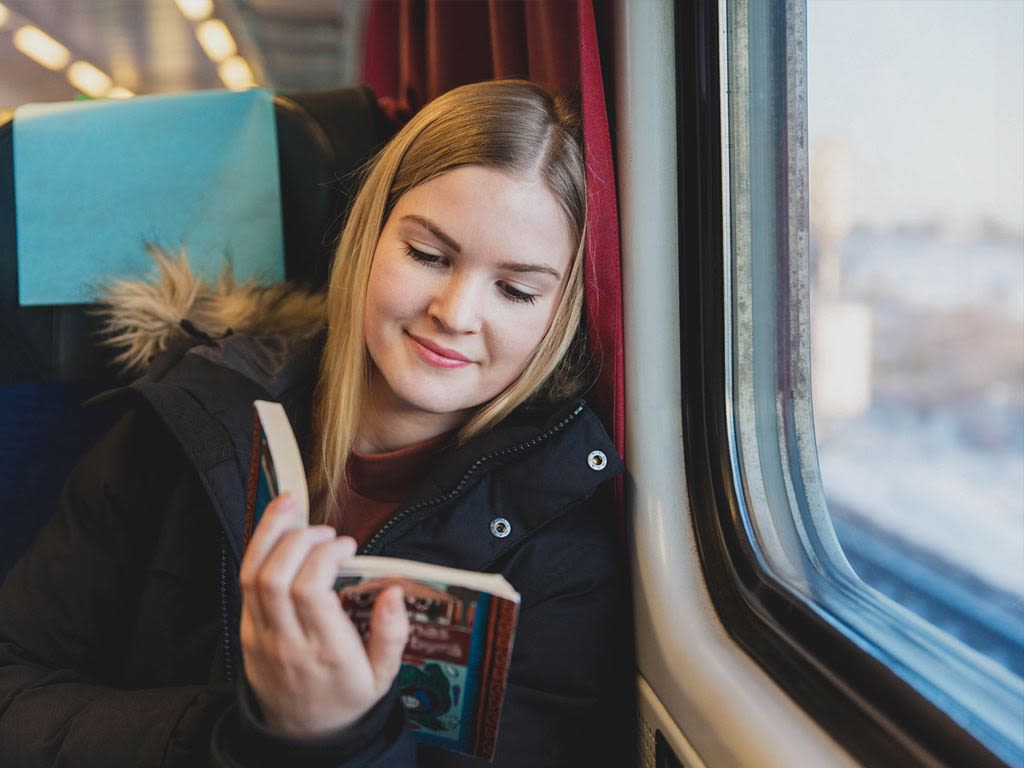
(417, 50)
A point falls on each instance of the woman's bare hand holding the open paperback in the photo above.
(304, 658)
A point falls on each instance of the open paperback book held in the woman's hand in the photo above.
(462, 624)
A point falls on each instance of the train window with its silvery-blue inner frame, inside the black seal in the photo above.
(874, 261)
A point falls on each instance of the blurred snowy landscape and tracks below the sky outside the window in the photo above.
(926, 485)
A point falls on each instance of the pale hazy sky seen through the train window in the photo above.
(928, 98)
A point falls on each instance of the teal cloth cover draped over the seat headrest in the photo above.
(97, 181)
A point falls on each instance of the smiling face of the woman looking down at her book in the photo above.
(465, 281)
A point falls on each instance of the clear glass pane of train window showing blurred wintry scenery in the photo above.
(916, 116)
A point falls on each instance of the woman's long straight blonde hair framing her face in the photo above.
(514, 126)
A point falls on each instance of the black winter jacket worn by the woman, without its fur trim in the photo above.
(119, 638)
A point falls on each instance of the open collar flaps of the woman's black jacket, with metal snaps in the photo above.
(204, 395)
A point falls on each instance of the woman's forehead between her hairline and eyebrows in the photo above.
(491, 214)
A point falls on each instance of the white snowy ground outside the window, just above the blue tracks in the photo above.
(914, 478)
